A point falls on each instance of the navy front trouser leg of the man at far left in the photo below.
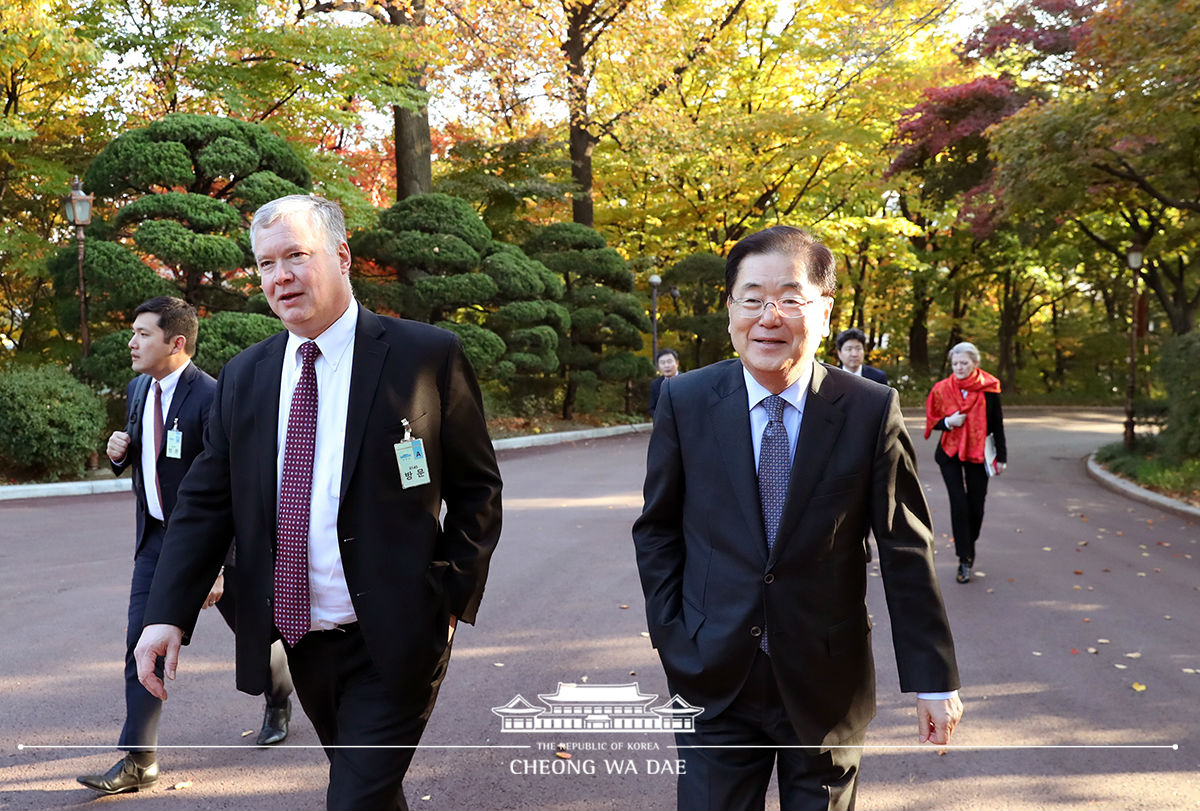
(142, 711)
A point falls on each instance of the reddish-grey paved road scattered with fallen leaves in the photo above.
(1063, 566)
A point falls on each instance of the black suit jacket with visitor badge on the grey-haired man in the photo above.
(407, 569)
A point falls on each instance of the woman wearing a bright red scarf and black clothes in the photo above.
(967, 408)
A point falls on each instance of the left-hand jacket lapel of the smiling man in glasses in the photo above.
(731, 425)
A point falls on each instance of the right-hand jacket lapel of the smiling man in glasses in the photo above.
(820, 428)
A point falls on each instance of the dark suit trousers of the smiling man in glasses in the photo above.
(729, 779)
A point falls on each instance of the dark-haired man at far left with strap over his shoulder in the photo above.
(167, 410)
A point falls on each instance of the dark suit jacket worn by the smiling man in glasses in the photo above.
(711, 586)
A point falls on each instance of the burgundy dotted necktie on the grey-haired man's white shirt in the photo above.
(292, 615)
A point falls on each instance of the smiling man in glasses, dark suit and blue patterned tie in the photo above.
(764, 476)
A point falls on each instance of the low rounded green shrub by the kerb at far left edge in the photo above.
(51, 423)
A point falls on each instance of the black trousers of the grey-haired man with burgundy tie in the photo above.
(349, 704)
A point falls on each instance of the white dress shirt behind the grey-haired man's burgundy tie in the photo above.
(329, 599)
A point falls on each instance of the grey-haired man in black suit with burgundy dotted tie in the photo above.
(331, 453)
